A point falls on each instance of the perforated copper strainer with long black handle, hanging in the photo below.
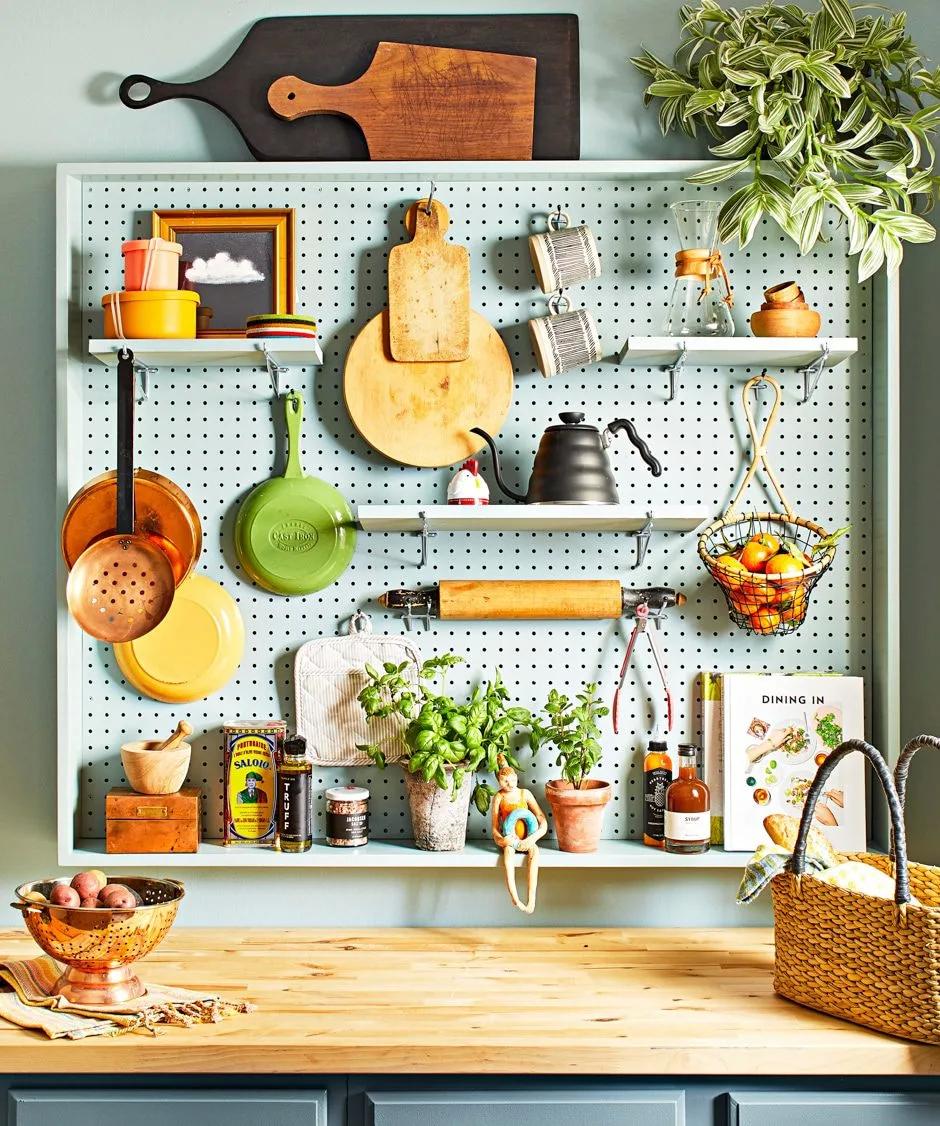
(123, 586)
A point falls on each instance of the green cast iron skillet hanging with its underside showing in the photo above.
(294, 535)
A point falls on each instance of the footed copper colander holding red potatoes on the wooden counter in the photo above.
(101, 945)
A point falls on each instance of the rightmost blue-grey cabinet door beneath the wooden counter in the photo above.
(832, 1109)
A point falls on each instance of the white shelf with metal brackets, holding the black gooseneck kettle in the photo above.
(428, 520)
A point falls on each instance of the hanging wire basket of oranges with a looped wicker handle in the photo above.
(767, 564)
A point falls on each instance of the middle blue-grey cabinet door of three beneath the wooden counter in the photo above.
(526, 1109)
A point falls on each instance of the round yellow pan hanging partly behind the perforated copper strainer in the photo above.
(194, 653)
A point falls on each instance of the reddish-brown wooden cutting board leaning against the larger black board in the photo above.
(433, 103)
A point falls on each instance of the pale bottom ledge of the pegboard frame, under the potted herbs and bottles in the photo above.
(396, 854)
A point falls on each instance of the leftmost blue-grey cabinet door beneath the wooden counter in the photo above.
(168, 1107)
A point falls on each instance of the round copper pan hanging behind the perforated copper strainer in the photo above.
(163, 513)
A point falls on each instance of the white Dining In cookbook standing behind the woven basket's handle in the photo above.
(777, 730)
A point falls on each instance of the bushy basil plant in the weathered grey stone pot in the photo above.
(446, 744)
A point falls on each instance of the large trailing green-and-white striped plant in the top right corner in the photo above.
(821, 109)
